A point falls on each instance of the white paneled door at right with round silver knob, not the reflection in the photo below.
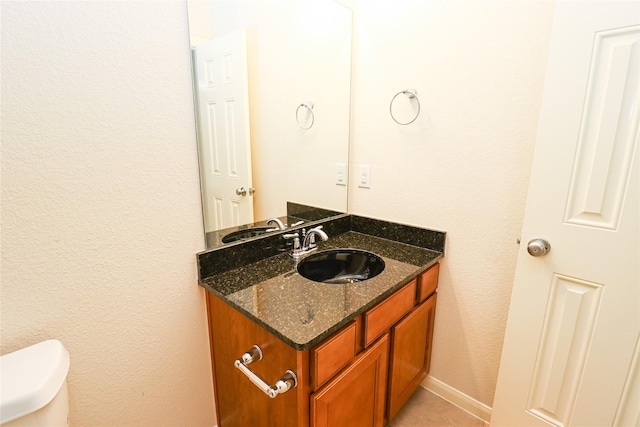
(571, 349)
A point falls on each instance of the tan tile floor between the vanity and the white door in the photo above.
(425, 409)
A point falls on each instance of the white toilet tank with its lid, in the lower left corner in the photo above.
(34, 386)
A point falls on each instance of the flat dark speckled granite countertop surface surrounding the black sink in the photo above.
(303, 313)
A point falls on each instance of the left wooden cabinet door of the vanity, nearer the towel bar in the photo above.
(356, 397)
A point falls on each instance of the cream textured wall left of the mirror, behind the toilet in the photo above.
(101, 209)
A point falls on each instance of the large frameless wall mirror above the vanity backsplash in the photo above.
(272, 93)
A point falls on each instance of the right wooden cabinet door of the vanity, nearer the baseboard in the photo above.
(410, 354)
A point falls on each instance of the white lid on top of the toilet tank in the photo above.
(31, 377)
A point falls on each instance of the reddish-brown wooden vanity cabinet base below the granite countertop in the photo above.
(360, 376)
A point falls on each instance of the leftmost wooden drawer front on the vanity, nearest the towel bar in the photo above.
(333, 355)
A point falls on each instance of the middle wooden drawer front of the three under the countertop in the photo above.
(381, 317)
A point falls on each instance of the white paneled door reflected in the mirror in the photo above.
(220, 69)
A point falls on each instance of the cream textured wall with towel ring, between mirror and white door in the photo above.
(464, 165)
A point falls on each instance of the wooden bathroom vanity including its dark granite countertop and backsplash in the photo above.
(328, 354)
